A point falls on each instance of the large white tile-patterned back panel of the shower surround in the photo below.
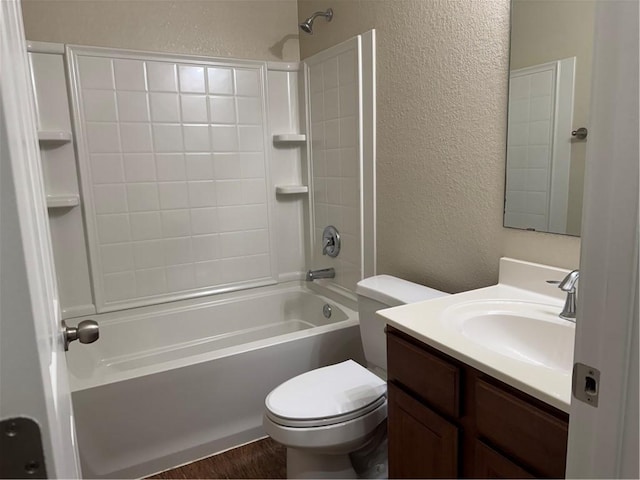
(174, 170)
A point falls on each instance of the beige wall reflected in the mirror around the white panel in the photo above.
(548, 30)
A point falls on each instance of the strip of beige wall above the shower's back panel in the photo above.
(255, 29)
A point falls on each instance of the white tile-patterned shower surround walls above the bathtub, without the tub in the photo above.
(179, 174)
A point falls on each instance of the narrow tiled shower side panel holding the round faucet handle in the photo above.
(334, 103)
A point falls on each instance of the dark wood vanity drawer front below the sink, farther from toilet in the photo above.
(530, 434)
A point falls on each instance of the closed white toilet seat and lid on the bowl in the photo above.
(326, 396)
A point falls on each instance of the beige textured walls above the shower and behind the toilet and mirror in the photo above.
(442, 83)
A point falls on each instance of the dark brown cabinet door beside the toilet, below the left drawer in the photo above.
(422, 444)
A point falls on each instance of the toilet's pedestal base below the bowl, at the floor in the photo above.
(308, 464)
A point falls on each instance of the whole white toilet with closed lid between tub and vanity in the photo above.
(333, 419)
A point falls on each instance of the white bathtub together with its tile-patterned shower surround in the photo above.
(185, 225)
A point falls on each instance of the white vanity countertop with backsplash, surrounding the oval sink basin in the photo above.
(424, 321)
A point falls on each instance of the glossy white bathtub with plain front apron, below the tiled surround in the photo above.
(166, 385)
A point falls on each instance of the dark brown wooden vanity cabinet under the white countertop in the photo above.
(449, 420)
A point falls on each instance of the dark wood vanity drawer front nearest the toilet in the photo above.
(432, 378)
